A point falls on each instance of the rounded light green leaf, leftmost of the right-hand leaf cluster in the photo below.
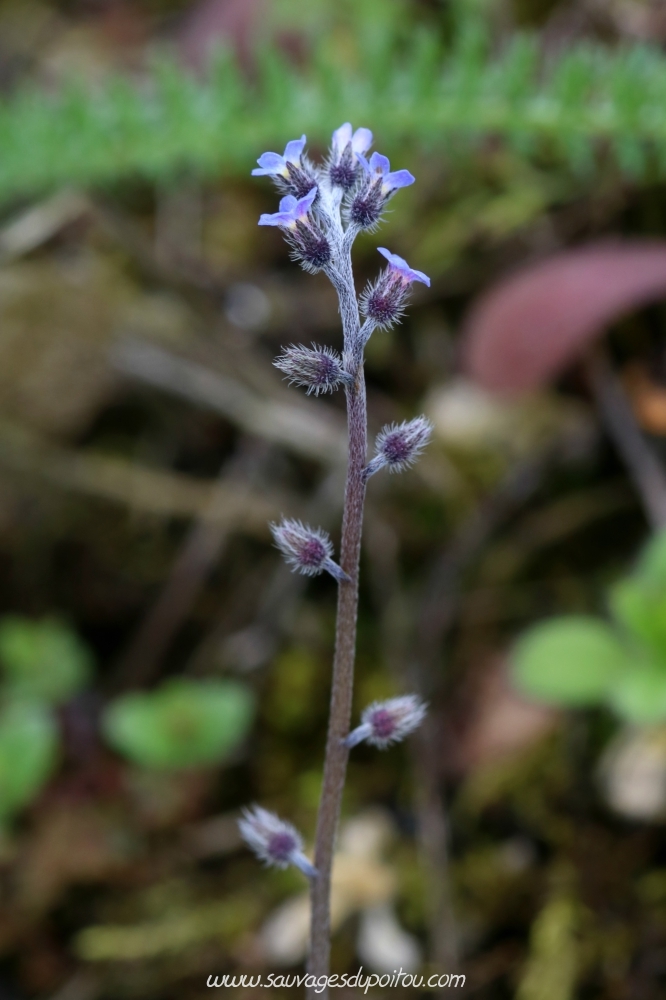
(570, 660)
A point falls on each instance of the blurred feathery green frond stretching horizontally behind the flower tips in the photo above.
(412, 87)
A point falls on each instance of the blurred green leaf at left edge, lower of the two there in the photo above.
(28, 750)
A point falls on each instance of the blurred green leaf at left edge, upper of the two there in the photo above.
(43, 660)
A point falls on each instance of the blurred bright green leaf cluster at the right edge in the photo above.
(579, 660)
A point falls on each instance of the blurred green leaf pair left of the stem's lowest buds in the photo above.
(182, 724)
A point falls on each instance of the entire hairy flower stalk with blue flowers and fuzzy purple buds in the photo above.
(321, 212)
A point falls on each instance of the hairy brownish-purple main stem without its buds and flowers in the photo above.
(342, 686)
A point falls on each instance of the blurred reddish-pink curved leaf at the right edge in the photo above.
(530, 327)
